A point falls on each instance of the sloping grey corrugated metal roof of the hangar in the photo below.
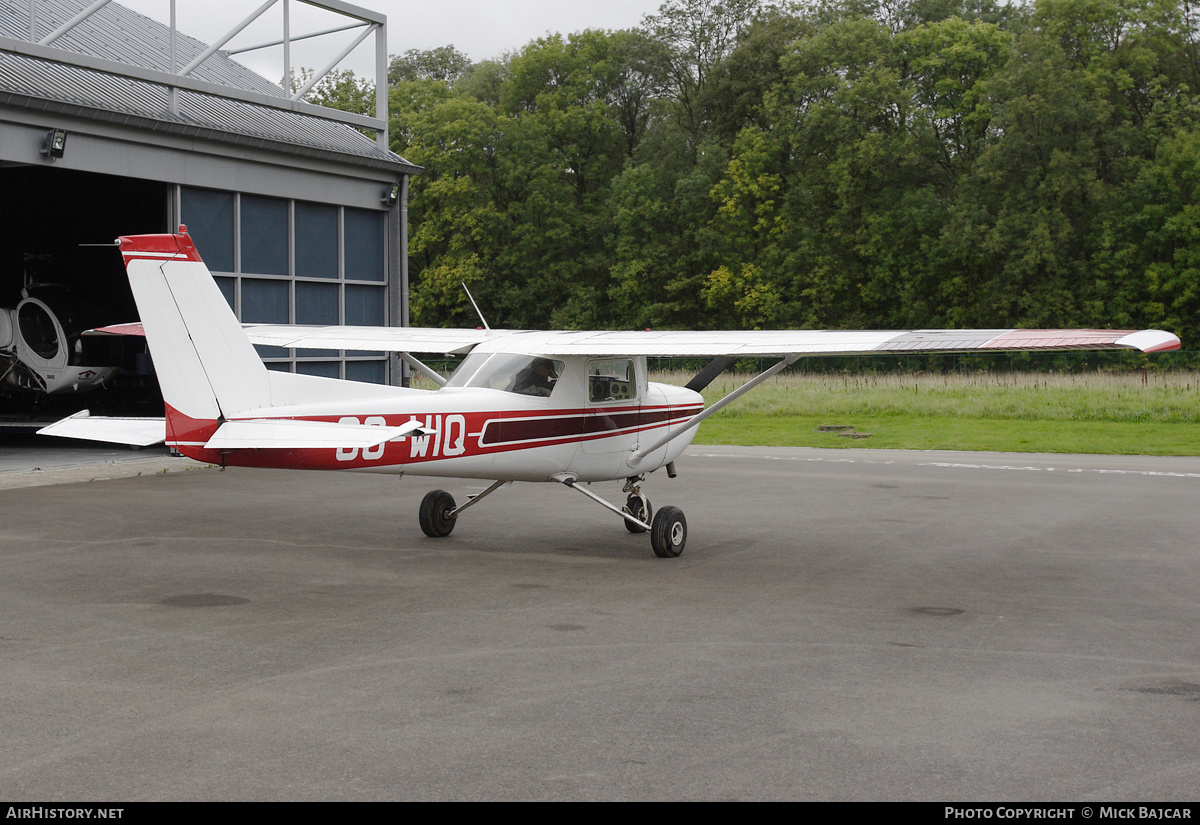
(37, 79)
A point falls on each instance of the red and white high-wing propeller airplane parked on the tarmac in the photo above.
(567, 408)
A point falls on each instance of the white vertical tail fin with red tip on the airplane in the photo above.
(207, 368)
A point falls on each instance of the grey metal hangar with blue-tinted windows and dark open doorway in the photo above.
(113, 124)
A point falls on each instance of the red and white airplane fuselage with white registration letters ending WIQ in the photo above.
(476, 433)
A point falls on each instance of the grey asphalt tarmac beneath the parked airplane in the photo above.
(844, 625)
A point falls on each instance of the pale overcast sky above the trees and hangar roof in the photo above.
(481, 28)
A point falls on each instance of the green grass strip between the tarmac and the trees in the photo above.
(1139, 413)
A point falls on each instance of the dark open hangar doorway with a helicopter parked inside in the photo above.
(50, 214)
